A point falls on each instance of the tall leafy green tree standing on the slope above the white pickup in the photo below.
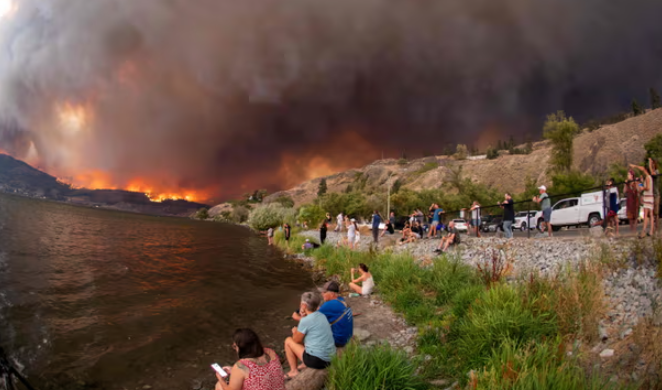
(561, 132)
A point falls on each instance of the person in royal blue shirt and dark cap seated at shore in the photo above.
(337, 312)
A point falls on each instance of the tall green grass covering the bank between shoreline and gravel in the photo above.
(511, 334)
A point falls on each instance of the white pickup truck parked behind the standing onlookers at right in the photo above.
(584, 210)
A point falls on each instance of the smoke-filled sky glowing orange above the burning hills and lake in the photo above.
(225, 96)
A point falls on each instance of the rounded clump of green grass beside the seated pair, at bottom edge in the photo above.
(379, 367)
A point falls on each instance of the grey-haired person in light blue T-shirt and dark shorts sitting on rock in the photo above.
(312, 341)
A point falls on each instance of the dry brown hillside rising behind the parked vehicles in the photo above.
(593, 153)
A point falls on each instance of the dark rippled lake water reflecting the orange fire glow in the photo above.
(94, 298)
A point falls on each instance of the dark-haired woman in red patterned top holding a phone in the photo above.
(258, 368)
